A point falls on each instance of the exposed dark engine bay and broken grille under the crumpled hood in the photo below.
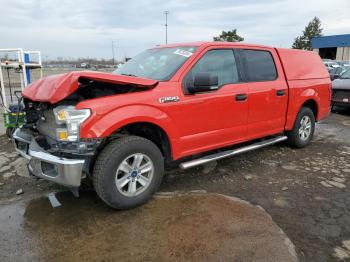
(41, 119)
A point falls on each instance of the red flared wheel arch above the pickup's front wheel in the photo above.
(98, 126)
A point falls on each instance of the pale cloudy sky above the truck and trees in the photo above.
(86, 28)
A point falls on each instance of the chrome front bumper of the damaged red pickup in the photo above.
(63, 171)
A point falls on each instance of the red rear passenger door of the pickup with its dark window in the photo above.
(267, 92)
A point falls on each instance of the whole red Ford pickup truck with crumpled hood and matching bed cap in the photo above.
(191, 102)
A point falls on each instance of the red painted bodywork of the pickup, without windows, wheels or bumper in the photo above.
(201, 122)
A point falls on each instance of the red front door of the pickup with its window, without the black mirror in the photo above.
(215, 118)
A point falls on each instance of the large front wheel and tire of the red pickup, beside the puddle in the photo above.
(119, 163)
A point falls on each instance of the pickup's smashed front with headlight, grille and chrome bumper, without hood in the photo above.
(49, 139)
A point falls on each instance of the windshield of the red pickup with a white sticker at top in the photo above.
(158, 63)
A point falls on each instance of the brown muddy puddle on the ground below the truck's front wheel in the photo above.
(194, 227)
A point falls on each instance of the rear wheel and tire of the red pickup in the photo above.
(301, 136)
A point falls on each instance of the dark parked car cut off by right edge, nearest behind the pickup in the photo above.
(341, 90)
